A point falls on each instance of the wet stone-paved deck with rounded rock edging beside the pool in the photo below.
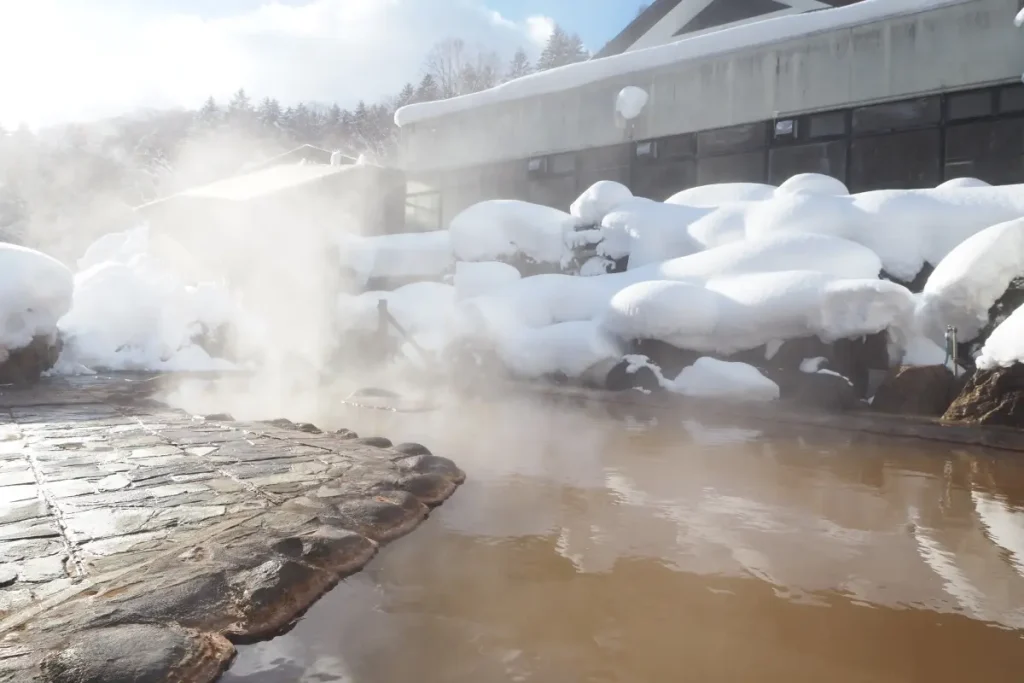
(124, 522)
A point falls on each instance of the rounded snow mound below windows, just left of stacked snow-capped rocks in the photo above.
(503, 229)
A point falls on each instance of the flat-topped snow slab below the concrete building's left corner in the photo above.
(402, 257)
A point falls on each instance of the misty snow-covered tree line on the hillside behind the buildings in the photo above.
(66, 185)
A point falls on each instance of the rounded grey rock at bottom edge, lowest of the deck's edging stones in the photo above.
(139, 654)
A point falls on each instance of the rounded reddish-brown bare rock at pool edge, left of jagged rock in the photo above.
(917, 391)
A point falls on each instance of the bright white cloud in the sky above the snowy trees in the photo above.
(69, 60)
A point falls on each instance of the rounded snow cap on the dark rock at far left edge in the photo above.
(35, 292)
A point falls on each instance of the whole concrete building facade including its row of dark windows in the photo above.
(927, 93)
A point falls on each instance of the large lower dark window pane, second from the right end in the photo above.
(895, 161)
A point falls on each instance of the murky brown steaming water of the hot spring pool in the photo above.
(591, 546)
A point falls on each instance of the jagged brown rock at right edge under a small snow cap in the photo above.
(992, 398)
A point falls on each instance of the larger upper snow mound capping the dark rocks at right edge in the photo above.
(969, 281)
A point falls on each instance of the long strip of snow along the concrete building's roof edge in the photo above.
(704, 46)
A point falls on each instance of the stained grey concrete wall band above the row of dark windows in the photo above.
(952, 48)
